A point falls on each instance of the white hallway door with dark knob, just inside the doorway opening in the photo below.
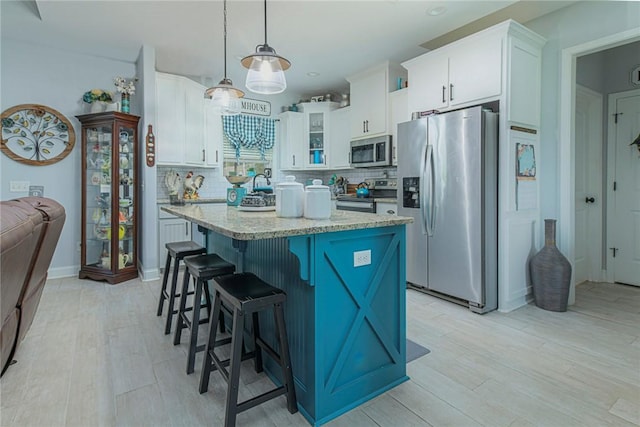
(588, 185)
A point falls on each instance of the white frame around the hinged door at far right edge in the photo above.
(611, 154)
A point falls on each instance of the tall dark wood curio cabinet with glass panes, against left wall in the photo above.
(109, 196)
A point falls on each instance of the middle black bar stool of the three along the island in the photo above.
(203, 268)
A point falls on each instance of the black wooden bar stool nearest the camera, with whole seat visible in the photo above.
(247, 295)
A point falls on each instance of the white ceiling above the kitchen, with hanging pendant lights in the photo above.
(331, 38)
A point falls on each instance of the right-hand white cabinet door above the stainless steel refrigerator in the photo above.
(475, 70)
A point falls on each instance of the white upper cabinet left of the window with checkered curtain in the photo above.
(181, 128)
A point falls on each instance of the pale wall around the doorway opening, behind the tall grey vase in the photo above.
(571, 26)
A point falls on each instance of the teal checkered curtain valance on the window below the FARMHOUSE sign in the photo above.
(251, 132)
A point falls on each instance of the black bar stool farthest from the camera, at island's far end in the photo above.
(176, 251)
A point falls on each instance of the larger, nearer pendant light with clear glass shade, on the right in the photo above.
(266, 67)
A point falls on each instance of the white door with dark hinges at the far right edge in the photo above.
(625, 221)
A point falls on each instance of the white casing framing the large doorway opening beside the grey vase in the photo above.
(567, 143)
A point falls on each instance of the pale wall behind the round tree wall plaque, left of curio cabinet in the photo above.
(58, 79)
